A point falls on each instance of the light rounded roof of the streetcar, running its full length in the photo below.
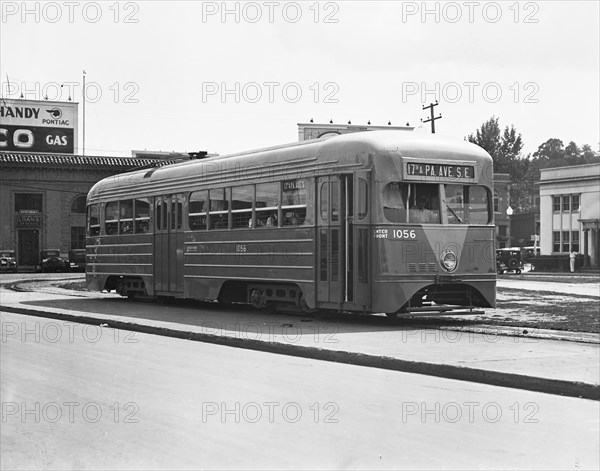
(349, 147)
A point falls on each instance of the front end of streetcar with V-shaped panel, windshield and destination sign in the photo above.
(433, 240)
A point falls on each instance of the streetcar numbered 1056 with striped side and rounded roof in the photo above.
(392, 222)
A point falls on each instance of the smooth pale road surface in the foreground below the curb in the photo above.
(90, 397)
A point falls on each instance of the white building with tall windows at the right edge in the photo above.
(570, 211)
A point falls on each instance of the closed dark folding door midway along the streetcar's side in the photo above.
(168, 243)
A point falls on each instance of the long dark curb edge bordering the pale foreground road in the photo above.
(494, 378)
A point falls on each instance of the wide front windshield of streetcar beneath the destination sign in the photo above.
(432, 203)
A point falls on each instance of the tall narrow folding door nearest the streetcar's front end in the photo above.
(335, 267)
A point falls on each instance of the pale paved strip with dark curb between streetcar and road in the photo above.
(552, 366)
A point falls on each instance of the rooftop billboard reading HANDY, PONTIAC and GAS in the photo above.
(38, 126)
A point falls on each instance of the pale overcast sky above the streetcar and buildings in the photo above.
(232, 76)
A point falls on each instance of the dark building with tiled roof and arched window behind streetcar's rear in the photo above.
(43, 196)
